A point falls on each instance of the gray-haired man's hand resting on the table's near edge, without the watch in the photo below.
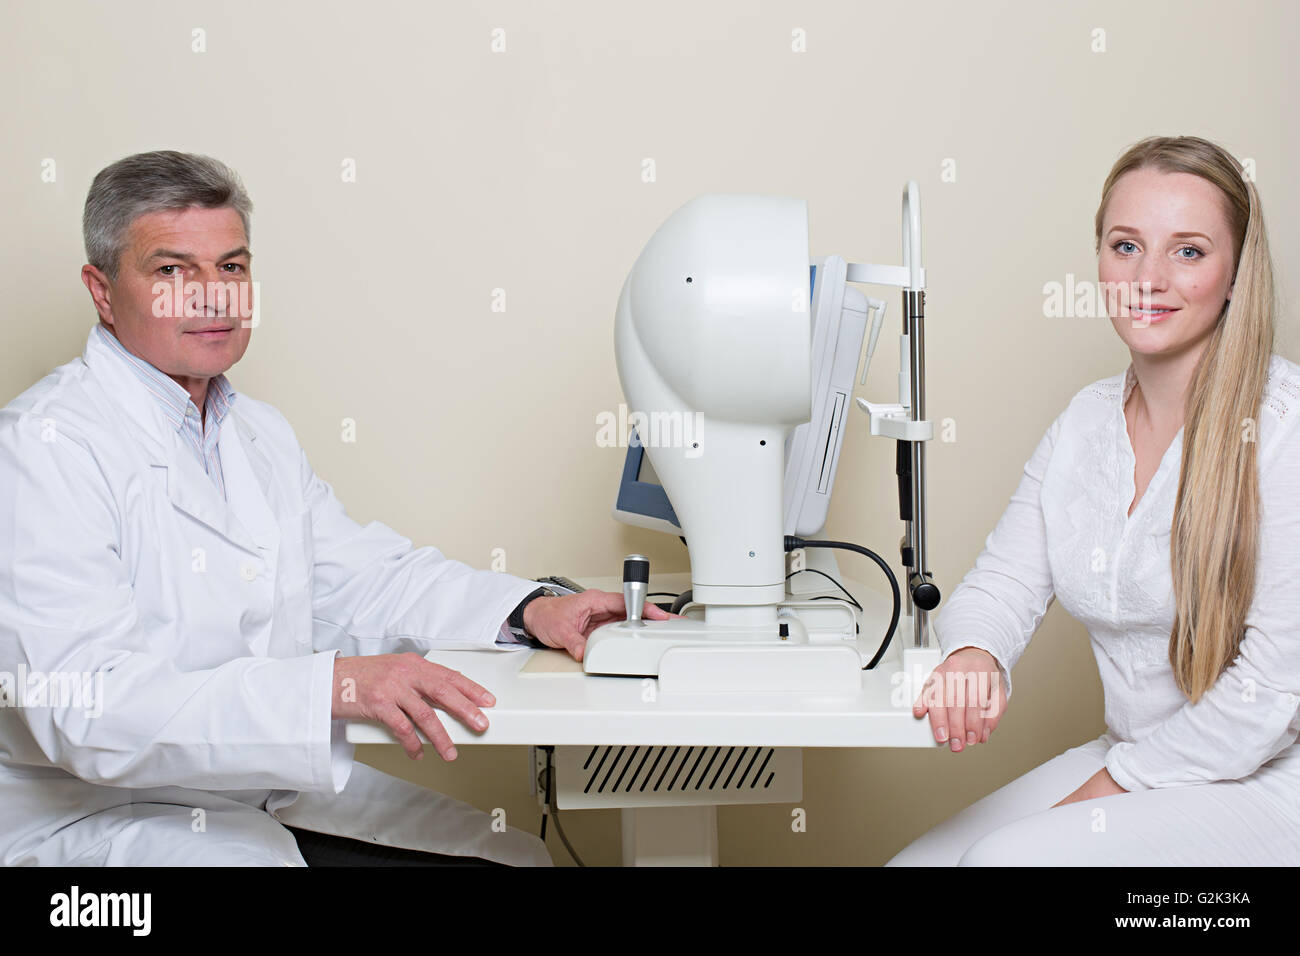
(402, 690)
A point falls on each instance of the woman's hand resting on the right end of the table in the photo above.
(964, 698)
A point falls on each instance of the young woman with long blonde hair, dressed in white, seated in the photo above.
(1163, 511)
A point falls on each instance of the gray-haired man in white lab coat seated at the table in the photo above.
(188, 615)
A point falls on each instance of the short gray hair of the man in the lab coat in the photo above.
(154, 183)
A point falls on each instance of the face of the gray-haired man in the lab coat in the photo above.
(183, 300)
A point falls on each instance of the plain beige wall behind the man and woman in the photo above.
(523, 171)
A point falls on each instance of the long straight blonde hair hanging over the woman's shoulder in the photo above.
(1216, 530)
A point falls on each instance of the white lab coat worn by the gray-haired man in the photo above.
(210, 629)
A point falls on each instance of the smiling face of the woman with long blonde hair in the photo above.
(1165, 261)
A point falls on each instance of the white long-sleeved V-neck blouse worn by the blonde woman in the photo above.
(1067, 535)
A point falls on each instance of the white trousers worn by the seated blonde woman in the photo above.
(1247, 823)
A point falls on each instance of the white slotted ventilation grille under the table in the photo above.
(651, 771)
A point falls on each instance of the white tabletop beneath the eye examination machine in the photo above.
(567, 707)
